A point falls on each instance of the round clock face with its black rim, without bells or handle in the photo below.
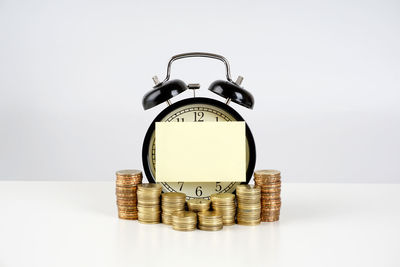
(196, 110)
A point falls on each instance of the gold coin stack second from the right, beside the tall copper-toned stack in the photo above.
(249, 204)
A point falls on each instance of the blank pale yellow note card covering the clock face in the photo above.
(200, 151)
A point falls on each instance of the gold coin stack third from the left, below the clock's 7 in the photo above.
(170, 203)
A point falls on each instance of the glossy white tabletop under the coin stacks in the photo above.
(75, 224)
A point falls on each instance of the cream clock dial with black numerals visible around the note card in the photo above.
(194, 113)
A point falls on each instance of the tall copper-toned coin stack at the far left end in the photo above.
(126, 188)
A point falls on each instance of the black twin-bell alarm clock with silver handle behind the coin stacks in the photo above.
(196, 109)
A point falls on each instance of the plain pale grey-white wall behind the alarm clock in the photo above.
(325, 76)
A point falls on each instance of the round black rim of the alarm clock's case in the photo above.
(198, 100)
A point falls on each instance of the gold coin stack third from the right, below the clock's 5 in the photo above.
(224, 203)
